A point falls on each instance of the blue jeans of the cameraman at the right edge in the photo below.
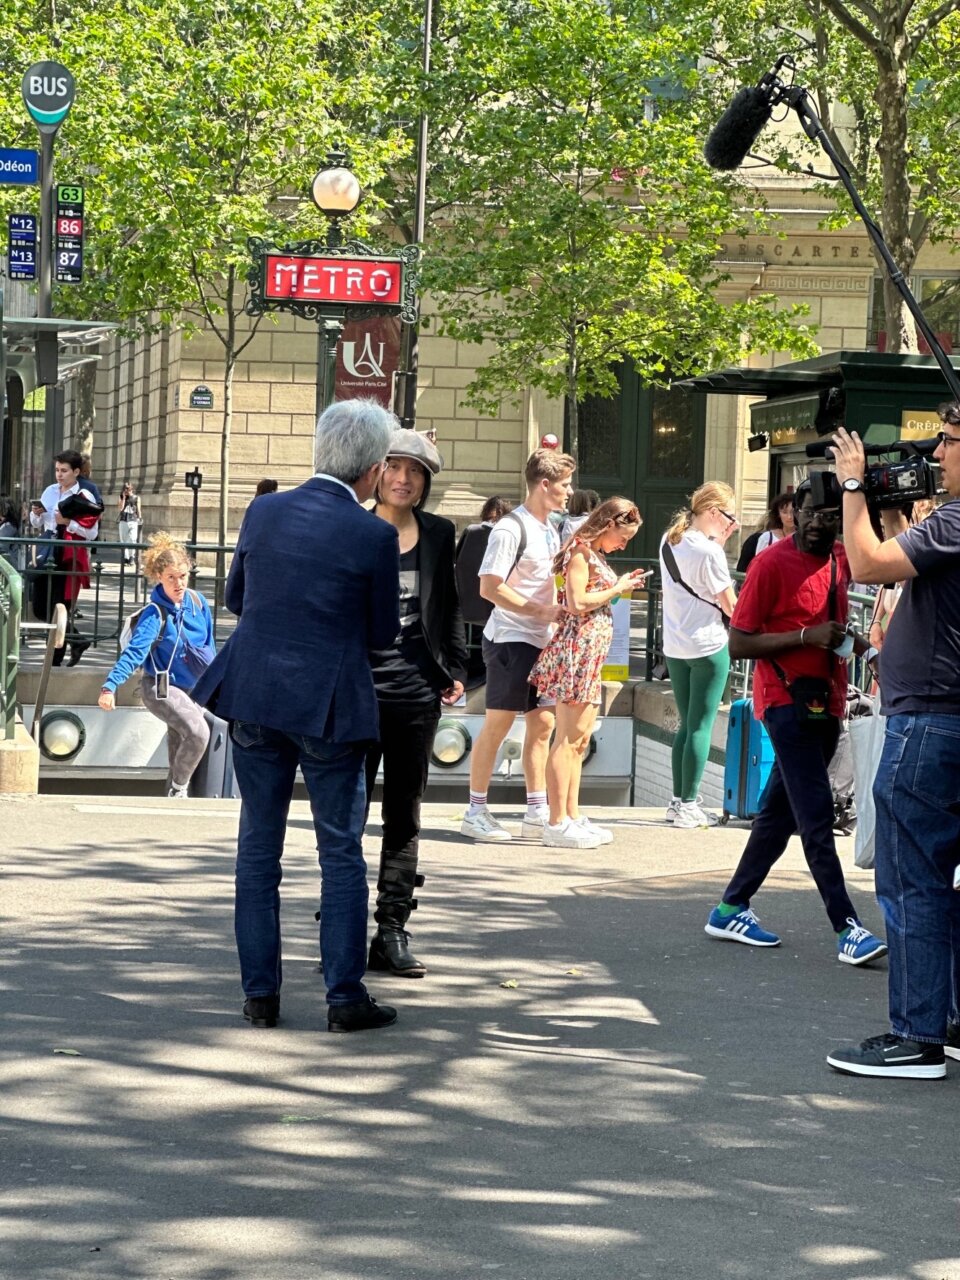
(917, 794)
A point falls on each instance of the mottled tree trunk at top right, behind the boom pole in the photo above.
(892, 98)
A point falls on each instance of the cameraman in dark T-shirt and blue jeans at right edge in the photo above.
(917, 790)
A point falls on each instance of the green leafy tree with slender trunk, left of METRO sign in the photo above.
(198, 124)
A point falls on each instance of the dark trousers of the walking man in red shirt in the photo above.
(797, 799)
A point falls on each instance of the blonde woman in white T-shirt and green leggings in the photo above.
(696, 637)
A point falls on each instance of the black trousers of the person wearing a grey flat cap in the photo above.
(406, 742)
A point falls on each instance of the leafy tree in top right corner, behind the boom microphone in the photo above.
(886, 83)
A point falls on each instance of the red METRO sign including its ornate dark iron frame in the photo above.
(309, 277)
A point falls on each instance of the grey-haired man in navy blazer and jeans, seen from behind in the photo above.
(316, 584)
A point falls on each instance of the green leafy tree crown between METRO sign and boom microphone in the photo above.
(573, 220)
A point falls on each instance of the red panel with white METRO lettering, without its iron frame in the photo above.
(358, 281)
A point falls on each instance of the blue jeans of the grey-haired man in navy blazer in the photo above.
(266, 762)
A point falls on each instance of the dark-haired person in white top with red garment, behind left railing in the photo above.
(72, 573)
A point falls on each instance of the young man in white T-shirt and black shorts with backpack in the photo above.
(523, 621)
